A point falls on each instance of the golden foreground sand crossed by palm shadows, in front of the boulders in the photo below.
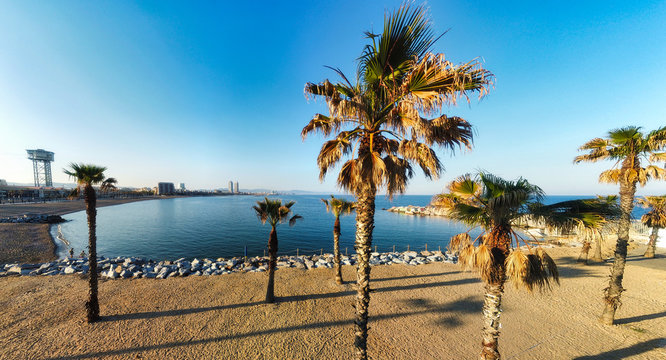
(424, 312)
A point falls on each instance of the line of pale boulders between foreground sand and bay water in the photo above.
(125, 268)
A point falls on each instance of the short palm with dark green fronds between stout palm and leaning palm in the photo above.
(586, 216)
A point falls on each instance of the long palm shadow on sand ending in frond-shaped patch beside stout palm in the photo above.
(466, 304)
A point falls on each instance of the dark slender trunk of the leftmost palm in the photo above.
(92, 305)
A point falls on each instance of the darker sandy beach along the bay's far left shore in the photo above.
(32, 243)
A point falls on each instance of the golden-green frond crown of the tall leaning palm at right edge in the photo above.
(631, 144)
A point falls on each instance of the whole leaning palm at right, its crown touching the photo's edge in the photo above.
(626, 146)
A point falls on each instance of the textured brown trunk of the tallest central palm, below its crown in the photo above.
(365, 222)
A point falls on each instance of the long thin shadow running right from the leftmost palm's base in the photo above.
(281, 299)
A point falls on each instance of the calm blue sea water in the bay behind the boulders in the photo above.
(223, 226)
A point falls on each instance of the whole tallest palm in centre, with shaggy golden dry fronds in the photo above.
(377, 122)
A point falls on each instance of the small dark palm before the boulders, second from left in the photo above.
(274, 213)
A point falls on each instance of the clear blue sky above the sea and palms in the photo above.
(207, 92)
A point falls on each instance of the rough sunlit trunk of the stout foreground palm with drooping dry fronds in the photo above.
(491, 321)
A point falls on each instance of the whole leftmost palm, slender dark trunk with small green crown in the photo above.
(86, 176)
